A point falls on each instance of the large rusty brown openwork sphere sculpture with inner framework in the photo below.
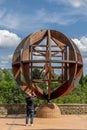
(48, 64)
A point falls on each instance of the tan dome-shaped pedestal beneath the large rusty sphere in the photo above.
(48, 110)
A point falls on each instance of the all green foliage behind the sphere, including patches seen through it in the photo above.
(11, 93)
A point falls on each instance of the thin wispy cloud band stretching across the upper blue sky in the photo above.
(37, 20)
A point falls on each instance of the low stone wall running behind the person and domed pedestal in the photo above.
(64, 108)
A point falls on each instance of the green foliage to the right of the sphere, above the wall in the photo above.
(78, 95)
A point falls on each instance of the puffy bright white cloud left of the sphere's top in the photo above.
(8, 39)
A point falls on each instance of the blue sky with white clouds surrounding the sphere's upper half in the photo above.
(19, 18)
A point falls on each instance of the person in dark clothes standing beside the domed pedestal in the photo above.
(30, 109)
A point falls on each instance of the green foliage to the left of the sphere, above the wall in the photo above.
(10, 92)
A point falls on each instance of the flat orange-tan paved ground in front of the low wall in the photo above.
(64, 122)
